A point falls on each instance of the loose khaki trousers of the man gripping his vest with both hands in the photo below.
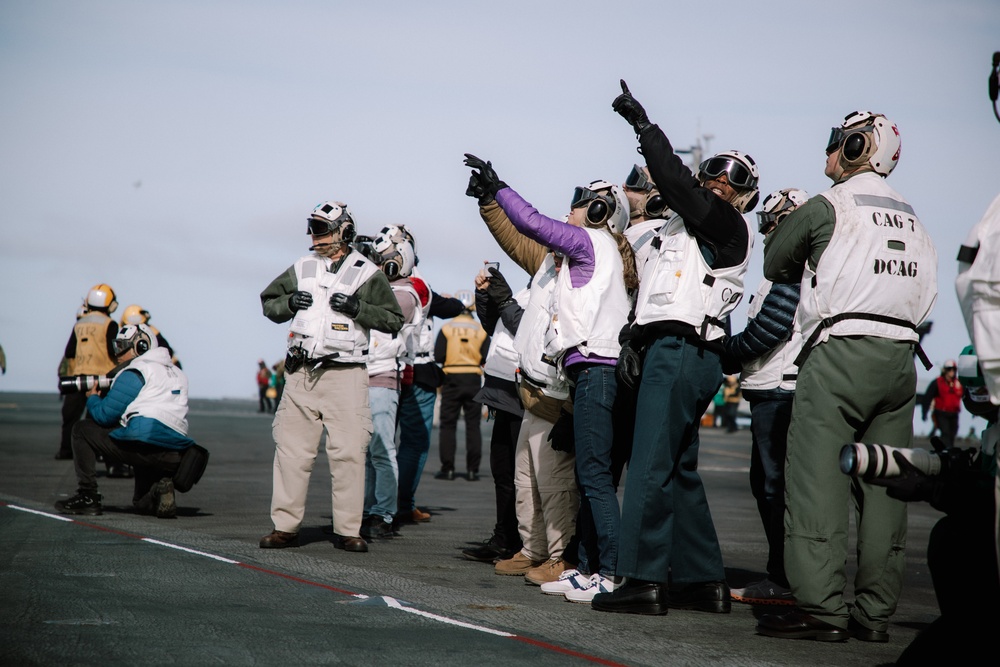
(334, 399)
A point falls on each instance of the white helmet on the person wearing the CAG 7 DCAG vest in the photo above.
(866, 138)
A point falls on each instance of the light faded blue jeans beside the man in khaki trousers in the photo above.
(381, 473)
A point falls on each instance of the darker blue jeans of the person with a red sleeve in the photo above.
(416, 419)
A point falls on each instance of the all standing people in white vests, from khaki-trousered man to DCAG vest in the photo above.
(611, 356)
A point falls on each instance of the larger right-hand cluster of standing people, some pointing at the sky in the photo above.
(618, 345)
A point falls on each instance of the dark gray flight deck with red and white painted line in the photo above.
(124, 589)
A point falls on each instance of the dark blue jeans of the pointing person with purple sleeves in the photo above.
(600, 517)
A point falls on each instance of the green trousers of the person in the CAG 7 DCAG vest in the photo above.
(850, 389)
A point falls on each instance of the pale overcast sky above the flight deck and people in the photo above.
(174, 149)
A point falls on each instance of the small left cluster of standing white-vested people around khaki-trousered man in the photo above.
(360, 363)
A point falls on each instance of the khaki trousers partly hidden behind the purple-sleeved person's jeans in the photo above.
(546, 493)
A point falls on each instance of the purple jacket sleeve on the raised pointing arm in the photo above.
(573, 242)
